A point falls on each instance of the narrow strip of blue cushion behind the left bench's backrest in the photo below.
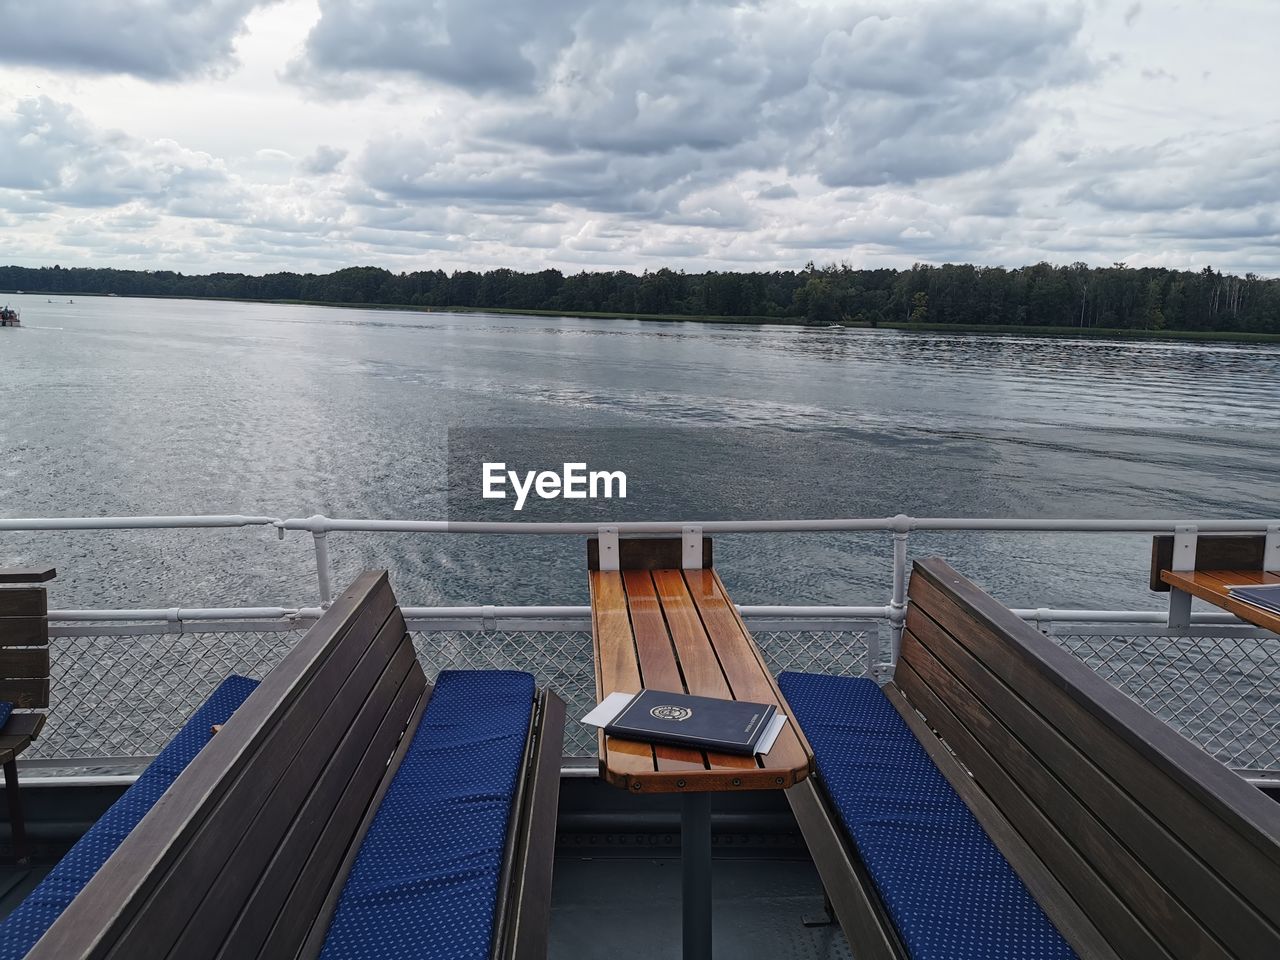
(25, 926)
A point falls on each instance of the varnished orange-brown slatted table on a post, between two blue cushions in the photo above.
(676, 630)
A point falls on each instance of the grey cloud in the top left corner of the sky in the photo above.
(150, 39)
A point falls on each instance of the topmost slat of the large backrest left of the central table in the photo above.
(111, 902)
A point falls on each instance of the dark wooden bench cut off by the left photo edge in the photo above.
(24, 679)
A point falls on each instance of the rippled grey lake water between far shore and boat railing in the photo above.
(117, 406)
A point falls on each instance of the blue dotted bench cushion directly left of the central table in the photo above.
(426, 881)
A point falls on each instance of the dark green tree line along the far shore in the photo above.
(1045, 295)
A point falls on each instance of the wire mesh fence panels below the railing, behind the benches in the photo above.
(125, 694)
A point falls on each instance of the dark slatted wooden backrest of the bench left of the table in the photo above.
(240, 858)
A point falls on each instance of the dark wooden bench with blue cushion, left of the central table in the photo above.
(262, 845)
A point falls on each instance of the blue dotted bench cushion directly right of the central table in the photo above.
(948, 889)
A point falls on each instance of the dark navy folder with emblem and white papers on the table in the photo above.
(683, 720)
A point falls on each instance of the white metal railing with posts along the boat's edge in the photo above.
(879, 652)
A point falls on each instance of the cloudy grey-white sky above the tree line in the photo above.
(264, 135)
